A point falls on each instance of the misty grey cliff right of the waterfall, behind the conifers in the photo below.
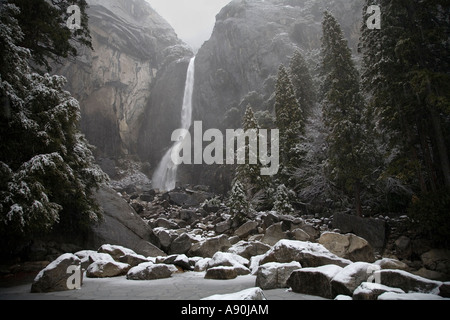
(241, 59)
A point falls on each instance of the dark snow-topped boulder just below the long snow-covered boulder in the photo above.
(314, 281)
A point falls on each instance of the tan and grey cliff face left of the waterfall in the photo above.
(133, 50)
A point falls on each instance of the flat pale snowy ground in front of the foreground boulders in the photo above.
(185, 286)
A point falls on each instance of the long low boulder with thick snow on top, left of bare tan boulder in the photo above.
(307, 253)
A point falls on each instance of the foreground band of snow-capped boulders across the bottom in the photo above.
(304, 267)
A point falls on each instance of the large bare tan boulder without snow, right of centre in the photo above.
(348, 246)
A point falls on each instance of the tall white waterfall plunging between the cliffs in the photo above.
(165, 176)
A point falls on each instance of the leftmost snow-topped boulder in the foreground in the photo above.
(55, 276)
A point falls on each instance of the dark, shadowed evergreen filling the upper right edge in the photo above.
(406, 72)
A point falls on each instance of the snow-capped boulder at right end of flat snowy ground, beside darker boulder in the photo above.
(274, 275)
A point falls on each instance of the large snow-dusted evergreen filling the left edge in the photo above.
(47, 169)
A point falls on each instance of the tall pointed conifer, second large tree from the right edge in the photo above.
(349, 148)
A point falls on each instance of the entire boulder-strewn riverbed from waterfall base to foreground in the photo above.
(189, 232)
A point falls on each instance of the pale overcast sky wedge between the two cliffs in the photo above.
(193, 20)
